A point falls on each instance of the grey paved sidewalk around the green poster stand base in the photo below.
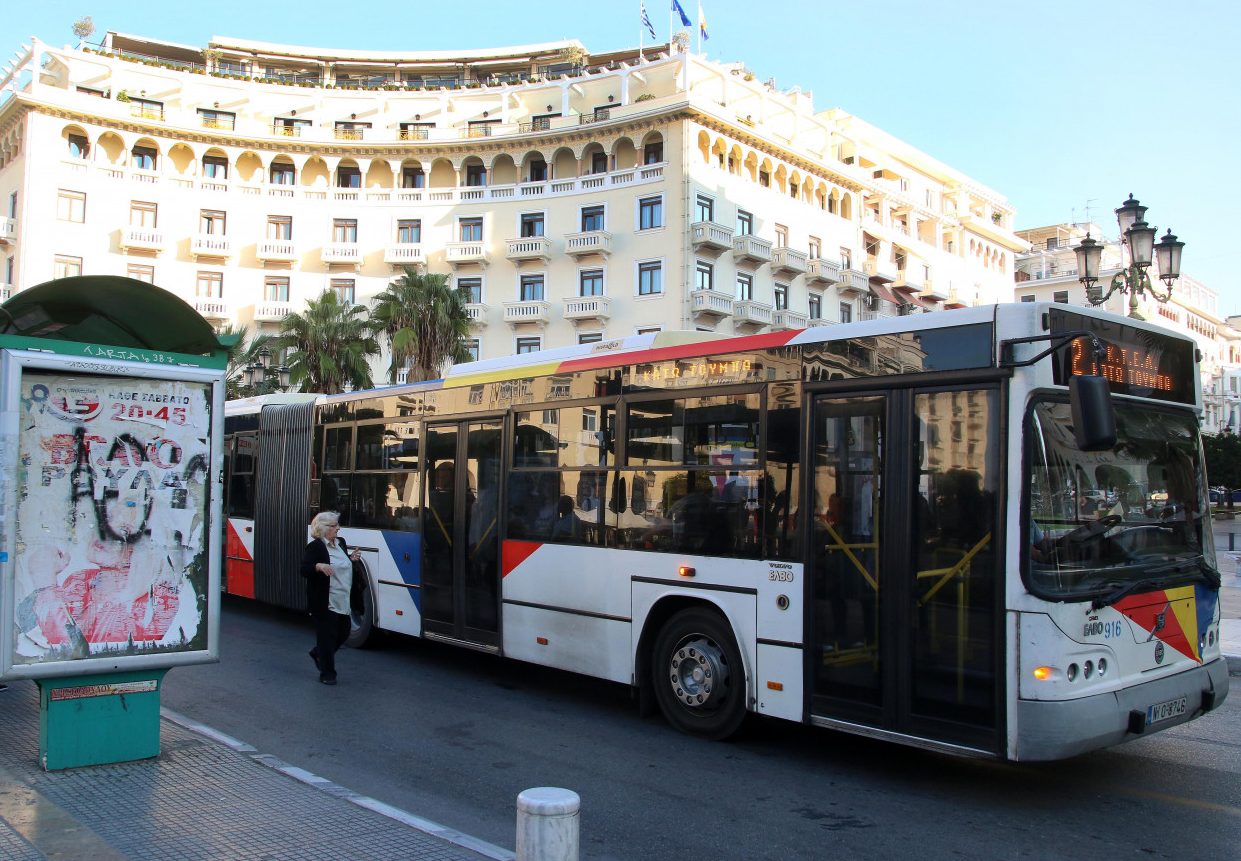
(203, 798)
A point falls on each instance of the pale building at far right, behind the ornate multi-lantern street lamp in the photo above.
(1049, 274)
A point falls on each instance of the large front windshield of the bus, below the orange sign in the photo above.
(1108, 524)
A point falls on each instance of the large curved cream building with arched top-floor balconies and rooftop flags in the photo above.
(576, 197)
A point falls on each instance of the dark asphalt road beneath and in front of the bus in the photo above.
(455, 736)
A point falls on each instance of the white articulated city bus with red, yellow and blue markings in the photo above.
(940, 530)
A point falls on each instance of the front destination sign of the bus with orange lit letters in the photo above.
(1135, 362)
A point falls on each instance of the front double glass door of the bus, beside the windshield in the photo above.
(904, 560)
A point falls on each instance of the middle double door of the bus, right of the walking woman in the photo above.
(461, 533)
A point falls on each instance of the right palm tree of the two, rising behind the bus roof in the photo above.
(425, 322)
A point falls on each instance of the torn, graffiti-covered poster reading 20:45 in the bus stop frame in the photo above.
(112, 518)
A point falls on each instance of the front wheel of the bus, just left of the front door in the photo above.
(699, 679)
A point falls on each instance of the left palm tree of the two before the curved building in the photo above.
(329, 346)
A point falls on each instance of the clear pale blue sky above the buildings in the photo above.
(1058, 106)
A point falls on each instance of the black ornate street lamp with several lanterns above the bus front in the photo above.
(1140, 239)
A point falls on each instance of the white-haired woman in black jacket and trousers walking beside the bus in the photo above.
(328, 569)
